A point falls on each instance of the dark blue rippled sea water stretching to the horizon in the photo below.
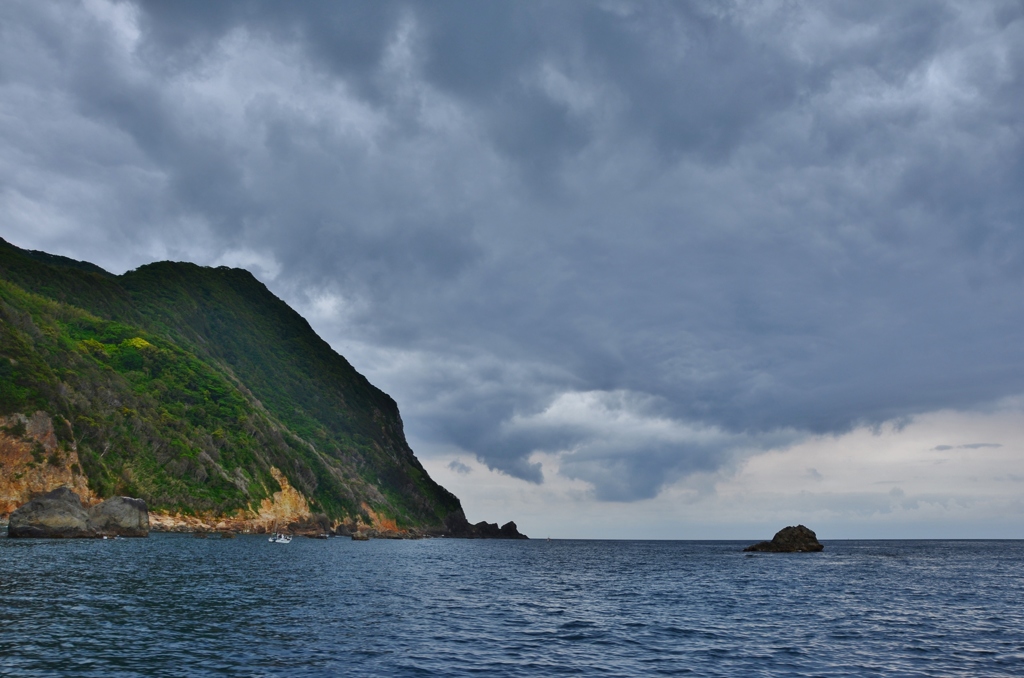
(175, 606)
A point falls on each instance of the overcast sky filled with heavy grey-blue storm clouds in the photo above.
(631, 270)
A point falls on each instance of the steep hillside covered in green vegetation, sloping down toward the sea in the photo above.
(184, 386)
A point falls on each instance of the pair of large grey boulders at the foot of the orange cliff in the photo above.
(60, 515)
